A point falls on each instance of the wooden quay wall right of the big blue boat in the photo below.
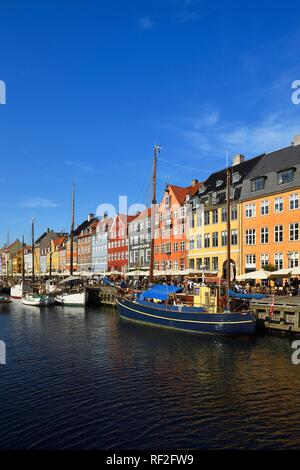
(285, 317)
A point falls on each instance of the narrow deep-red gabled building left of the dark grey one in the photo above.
(118, 243)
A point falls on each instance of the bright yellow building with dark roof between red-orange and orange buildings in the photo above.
(207, 220)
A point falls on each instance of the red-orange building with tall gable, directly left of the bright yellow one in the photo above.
(170, 250)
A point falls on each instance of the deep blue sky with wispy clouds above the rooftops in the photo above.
(92, 85)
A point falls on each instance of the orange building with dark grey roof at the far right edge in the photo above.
(271, 211)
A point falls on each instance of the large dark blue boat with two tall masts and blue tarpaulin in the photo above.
(152, 307)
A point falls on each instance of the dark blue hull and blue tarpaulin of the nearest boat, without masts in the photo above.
(148, 311)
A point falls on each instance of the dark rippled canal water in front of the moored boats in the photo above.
(84, 379)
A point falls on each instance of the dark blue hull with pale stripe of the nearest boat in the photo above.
(232, 324)
